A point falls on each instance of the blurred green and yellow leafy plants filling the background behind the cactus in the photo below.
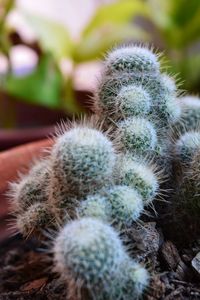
(172, 26)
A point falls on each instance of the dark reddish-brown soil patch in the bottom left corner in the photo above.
(25, 275)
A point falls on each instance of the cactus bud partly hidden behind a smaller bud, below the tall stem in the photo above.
(138, 175)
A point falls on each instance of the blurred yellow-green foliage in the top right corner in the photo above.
(177, 32)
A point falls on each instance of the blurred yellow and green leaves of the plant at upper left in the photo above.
(46, 85)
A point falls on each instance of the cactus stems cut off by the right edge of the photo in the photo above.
(187, 159)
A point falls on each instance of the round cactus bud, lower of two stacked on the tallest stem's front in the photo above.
(137, 135)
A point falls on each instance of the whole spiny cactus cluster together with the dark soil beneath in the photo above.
(91, 202)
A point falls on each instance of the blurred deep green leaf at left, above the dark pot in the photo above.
(42, 86)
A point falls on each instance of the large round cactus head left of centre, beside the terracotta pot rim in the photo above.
(82, 162)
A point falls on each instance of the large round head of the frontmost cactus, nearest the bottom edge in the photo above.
(89, 252)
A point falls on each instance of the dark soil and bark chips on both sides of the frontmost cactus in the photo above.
(25, 274)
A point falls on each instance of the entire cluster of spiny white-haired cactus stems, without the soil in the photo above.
(99, 179)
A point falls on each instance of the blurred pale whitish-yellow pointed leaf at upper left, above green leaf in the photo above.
(52, 36)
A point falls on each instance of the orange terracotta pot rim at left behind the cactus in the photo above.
(11, 162)
